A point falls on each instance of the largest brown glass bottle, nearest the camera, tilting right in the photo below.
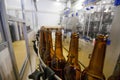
(95, 69)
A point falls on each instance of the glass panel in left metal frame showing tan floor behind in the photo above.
(18, 43)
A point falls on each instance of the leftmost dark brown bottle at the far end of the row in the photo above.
(42, 46)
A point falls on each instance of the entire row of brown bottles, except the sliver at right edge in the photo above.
(70, 69)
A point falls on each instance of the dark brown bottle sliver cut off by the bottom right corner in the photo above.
(116, 73)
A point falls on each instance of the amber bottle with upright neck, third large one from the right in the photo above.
(58, 60)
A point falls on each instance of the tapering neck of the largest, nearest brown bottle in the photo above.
(97, 59)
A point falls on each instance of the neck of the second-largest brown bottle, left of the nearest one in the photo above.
(73, 50)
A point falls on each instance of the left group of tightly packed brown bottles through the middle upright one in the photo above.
(54, 59)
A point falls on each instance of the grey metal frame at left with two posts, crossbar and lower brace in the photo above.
(8, 39)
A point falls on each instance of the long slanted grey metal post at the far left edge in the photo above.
(8, 38)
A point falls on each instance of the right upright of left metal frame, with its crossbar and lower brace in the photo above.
(14, 19)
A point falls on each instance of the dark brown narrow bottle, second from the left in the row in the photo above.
(46, 55)
